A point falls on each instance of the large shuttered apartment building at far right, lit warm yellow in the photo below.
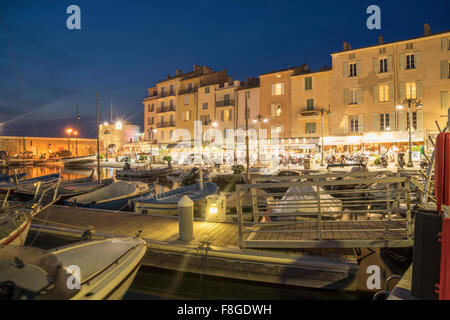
(369, 87)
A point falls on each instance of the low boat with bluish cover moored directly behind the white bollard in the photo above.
(167, 203)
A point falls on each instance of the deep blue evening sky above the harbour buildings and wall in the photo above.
(124, 47)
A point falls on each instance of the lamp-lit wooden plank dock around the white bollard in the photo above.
(214, 251)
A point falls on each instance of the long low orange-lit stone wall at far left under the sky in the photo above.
(42, 145)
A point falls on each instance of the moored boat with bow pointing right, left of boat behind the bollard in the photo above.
(115, 196)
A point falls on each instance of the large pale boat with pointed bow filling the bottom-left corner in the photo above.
(70, 273)
